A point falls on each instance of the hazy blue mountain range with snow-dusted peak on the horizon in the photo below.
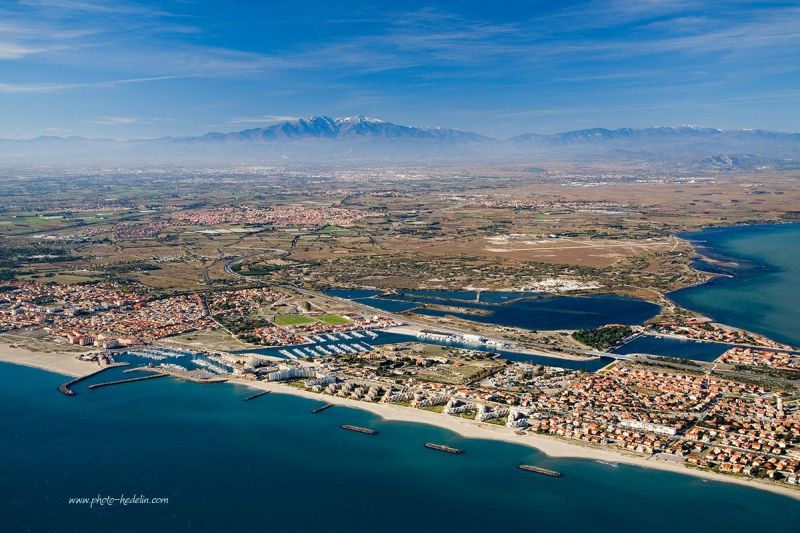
(363, 139)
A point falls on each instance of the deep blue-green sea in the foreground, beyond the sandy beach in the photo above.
(270, 465)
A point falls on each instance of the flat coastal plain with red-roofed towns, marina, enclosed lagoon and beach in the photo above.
(500, 311)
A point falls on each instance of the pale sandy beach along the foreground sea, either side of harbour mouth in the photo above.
(66, 364)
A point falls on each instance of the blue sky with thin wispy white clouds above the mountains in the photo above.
(125, 68)
